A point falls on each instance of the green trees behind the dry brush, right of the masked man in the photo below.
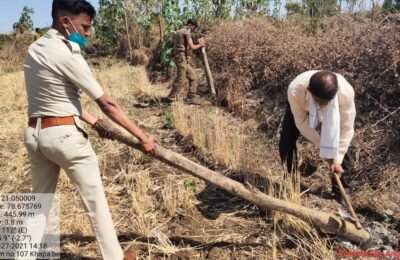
(133, 22)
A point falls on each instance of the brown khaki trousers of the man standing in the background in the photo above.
(185, 73)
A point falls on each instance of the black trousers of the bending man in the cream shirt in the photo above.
(288, 150)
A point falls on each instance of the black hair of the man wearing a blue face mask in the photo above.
(73, 7)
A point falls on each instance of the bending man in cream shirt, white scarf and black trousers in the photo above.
(325, 97)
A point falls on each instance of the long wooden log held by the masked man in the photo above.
(328, 222)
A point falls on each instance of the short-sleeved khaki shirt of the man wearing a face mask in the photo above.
(55, 76)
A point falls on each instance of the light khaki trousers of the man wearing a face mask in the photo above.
(67, 147)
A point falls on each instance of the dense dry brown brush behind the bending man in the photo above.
(253, 63)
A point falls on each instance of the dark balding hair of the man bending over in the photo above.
(324, 85)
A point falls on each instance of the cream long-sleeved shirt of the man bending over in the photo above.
(299, 100)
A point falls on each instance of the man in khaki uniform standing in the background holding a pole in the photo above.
(182, 44)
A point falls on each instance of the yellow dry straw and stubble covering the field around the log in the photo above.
(156, 208)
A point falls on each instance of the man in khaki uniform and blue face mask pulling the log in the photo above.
(55, 75)
